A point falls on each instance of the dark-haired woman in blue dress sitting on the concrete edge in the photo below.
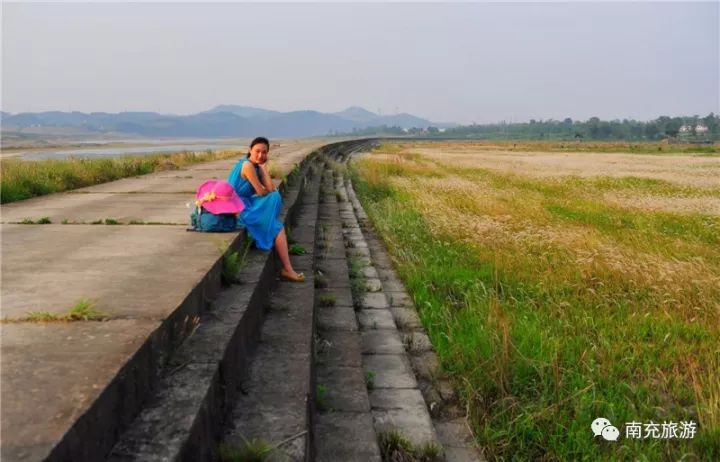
(263, 205)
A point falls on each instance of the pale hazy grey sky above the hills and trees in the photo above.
(455, 62)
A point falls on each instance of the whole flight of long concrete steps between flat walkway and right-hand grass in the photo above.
(324, 370)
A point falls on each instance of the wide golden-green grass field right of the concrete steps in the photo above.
(552, 302)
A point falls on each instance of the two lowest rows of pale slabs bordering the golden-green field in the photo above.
(411, 394)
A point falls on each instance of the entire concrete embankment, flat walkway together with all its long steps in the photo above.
(183, 368)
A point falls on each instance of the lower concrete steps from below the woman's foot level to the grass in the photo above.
(376, 344)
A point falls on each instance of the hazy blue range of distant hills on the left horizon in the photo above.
(220, 121)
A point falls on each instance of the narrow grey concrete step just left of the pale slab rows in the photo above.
(343, 420)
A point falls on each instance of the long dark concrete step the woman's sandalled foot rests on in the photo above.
(274, 415)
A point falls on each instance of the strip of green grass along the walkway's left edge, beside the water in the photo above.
(20, 179)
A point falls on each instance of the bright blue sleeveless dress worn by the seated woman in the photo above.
(260, 215)
